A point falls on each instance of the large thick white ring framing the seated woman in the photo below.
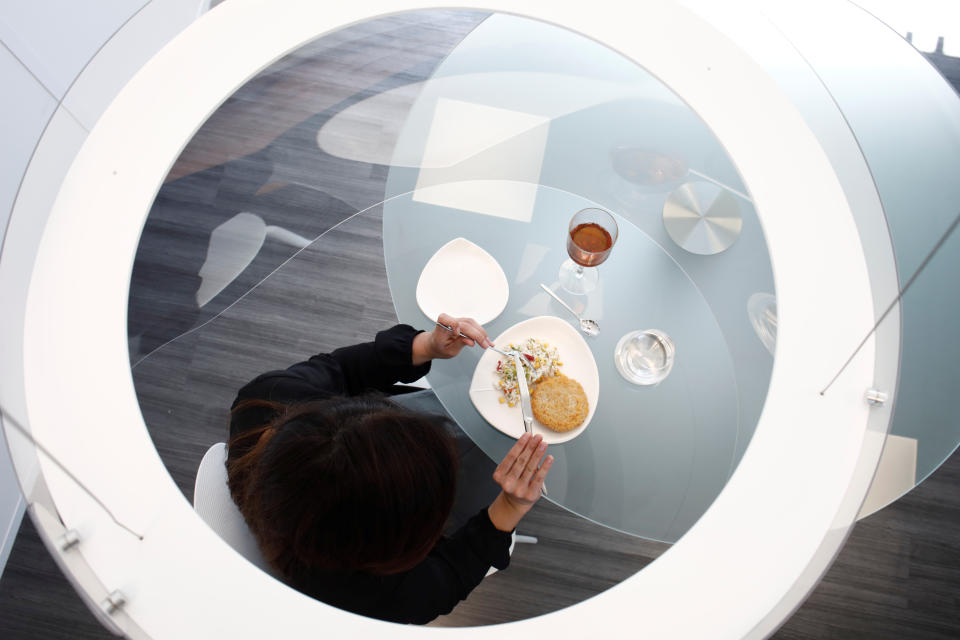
(771, 520)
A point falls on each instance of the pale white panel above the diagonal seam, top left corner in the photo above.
(56, 38)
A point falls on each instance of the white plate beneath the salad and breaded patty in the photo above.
(578, 363)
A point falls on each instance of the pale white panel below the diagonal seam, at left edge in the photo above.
(21, 123)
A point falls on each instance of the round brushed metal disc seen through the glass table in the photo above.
(702, 218)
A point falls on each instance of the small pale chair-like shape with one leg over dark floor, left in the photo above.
(233, 246)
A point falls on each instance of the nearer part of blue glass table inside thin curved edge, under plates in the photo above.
(654, 457)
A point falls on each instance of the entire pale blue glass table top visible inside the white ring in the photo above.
(558, 125)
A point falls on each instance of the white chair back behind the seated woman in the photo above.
(213, 503)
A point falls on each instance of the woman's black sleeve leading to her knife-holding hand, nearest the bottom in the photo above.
(454, 567)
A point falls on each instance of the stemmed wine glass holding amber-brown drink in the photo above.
(590, 237)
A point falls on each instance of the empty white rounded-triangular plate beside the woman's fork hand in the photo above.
(463, 280)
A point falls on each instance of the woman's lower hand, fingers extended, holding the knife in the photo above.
(520, 476)
